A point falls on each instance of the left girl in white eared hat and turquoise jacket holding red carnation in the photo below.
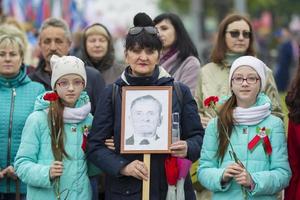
(51, 159)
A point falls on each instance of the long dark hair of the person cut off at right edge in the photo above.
(292, 99)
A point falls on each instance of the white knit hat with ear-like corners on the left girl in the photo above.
(66, 65)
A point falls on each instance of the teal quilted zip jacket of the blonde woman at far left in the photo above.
(17, 97)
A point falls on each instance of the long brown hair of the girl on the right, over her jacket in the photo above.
(225, 123)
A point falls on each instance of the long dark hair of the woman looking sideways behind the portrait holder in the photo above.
(183, 42)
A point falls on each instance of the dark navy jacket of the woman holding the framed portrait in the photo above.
(107, 123)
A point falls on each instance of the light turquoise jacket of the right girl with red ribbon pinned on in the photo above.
(269, 173)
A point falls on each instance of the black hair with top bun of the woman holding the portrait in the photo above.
(143, 39)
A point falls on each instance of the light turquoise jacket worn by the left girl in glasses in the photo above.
(35, 156)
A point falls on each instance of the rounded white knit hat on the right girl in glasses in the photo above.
(258, 65)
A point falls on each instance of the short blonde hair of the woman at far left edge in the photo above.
(12, 40)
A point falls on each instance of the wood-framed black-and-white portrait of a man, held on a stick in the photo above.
(146, 119)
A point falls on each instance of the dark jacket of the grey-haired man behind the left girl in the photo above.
(94, 87)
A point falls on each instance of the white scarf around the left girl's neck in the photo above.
(76, 115)
